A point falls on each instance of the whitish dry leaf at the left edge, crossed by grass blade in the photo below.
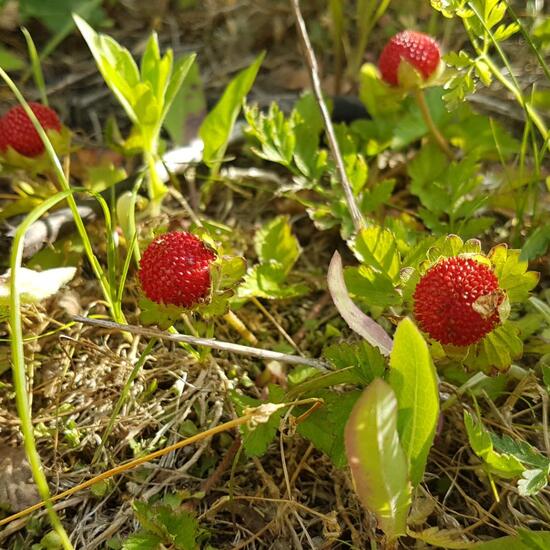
(35, 286)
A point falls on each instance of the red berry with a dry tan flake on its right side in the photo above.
(456, 301)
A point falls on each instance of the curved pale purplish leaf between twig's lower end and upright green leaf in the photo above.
(370, 330)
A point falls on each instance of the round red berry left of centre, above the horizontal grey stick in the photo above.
(175, 269)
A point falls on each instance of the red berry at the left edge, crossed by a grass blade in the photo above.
(20, 133)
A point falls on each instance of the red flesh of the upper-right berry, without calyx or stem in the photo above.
(419, 49)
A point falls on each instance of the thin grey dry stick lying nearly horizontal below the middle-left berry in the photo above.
(208, 342)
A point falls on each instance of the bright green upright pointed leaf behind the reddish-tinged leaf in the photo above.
(413, 378)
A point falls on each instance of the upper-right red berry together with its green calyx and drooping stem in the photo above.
(410, 60)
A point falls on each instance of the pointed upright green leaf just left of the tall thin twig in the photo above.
(218, 125)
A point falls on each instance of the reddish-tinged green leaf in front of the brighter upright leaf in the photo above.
(376, 459)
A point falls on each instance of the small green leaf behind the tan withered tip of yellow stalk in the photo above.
(257, 440)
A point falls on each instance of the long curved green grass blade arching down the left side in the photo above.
(19, 369)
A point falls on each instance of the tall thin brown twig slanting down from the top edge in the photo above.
(311, 62)
